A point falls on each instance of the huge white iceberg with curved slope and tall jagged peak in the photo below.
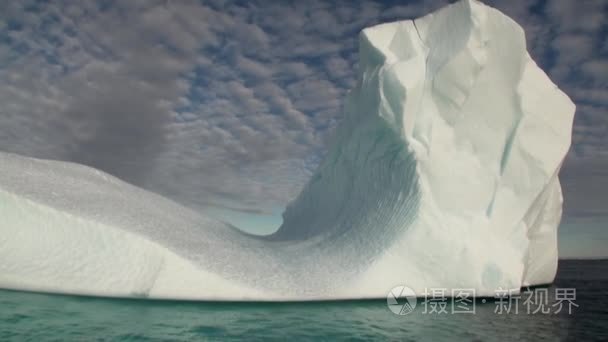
(443, 174)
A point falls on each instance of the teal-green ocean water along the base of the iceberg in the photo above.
(41, 317)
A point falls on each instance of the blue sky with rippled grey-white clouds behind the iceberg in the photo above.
(228, 106)
